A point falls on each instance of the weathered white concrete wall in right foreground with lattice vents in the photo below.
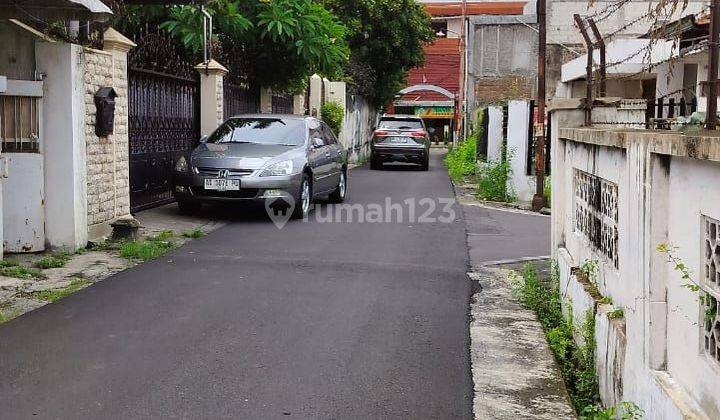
(654, 355)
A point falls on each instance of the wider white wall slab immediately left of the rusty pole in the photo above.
(517, 143)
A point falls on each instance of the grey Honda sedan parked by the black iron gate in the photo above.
(263, 157)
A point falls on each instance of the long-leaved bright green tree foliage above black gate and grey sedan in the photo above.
(274, 43)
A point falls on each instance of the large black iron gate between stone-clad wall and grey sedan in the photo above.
(164, 119)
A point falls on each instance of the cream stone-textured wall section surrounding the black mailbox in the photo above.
(108, 194)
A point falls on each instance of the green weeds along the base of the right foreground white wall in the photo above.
(577, 363)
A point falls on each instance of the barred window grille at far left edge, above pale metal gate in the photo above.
(19, 124)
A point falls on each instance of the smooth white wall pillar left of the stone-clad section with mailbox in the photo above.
(64, 150)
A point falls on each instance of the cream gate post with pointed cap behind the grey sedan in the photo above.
(211, 95)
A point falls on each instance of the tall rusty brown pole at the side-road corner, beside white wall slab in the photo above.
(539, 198)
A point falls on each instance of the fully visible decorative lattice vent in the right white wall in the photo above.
(596, 213)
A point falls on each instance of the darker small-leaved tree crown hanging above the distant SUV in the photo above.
(386, 40)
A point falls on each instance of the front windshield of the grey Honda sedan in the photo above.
(289, 132)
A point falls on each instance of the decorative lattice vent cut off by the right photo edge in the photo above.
(710, 283)
